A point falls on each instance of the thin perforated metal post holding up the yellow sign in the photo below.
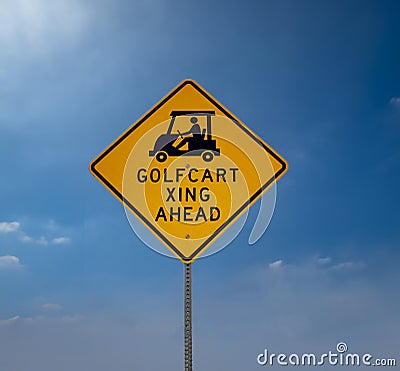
(188, 317)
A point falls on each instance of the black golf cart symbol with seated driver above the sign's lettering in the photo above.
(199, 143)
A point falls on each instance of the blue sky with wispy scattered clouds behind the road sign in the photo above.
(319, 81)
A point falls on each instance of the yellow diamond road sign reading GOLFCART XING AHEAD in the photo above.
(188, 169)
